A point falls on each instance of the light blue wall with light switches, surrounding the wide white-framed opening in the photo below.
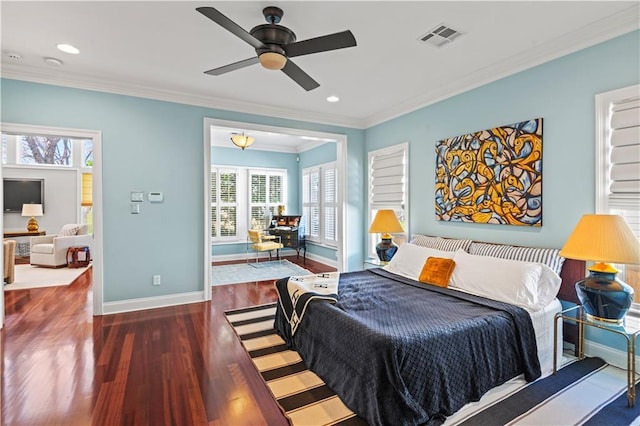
(151, 145)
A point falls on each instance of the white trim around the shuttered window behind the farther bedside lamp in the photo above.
(373, 239)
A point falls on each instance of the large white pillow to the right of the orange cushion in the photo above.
(526, 284)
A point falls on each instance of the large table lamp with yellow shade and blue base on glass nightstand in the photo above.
(603, 239)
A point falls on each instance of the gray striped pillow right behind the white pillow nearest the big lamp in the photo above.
(547, 256)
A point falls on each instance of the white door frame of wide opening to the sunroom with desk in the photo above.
(341, 162)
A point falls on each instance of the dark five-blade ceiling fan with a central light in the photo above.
(276, 44)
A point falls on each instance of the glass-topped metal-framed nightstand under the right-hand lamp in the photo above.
(629, 329)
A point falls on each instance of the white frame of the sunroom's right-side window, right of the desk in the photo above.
(321, 204)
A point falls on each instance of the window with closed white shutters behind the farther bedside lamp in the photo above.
(388, 188)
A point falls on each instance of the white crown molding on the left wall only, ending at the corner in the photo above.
(78, 81)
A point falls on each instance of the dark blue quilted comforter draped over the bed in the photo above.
(399, 352)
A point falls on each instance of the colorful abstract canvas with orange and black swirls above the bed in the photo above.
(491, 176)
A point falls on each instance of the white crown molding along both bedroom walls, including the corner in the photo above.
(600, 31)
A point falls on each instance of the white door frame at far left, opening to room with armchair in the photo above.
(96, 247)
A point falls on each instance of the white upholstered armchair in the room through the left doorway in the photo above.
(51, 250)
